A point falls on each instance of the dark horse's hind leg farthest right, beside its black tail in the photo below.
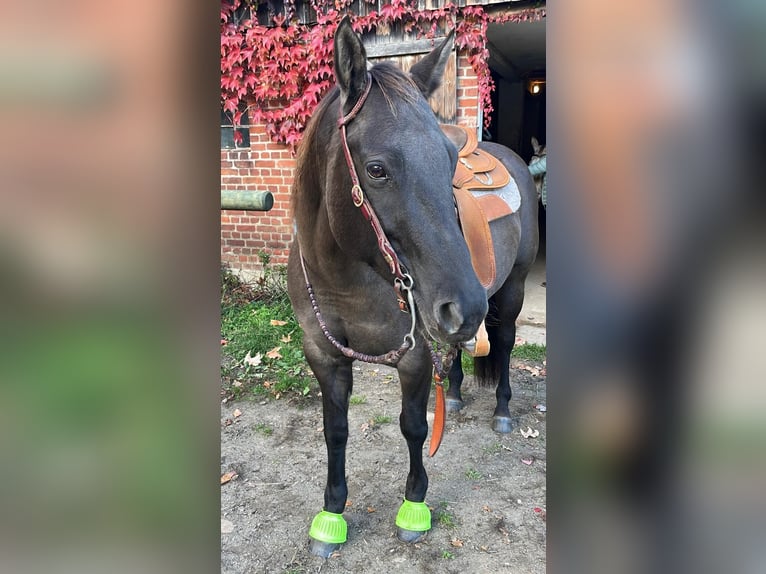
(495, 368)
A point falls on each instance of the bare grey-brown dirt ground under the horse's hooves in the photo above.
(487, 500)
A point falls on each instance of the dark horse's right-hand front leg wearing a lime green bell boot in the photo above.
(414, 518)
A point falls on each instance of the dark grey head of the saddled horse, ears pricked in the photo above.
(404, 164)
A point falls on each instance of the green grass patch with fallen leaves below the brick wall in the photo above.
(262, 323)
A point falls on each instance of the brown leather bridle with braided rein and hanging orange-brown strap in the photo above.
(403, 286)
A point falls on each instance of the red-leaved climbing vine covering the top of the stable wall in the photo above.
(279, 70)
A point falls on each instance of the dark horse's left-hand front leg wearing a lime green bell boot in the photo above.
(328, 529)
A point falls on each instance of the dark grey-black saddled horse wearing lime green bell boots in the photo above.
(376, 235)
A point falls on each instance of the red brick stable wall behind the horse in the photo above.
(267, 166)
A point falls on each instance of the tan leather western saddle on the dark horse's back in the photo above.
(477, 170)
